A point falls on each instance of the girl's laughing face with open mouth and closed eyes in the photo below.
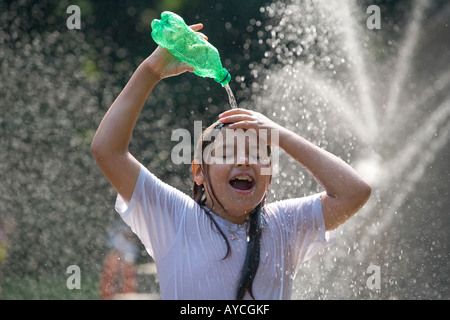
(237, 171)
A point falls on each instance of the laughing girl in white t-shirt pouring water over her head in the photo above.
(226, 243)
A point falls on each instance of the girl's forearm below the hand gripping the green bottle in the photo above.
(114, 132)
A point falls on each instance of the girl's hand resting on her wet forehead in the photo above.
(248, 119)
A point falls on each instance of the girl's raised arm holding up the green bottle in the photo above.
(110, 143)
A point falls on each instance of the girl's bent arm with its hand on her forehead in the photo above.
(346, 191)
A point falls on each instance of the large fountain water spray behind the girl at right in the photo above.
(382, 108)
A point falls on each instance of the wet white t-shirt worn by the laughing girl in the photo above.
(189, 251)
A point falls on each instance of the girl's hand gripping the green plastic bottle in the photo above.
(165, 65)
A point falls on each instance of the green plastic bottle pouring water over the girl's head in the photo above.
(172, 33)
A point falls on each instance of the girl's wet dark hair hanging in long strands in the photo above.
(256, 217)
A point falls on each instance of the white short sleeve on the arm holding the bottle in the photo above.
(154, 213)
